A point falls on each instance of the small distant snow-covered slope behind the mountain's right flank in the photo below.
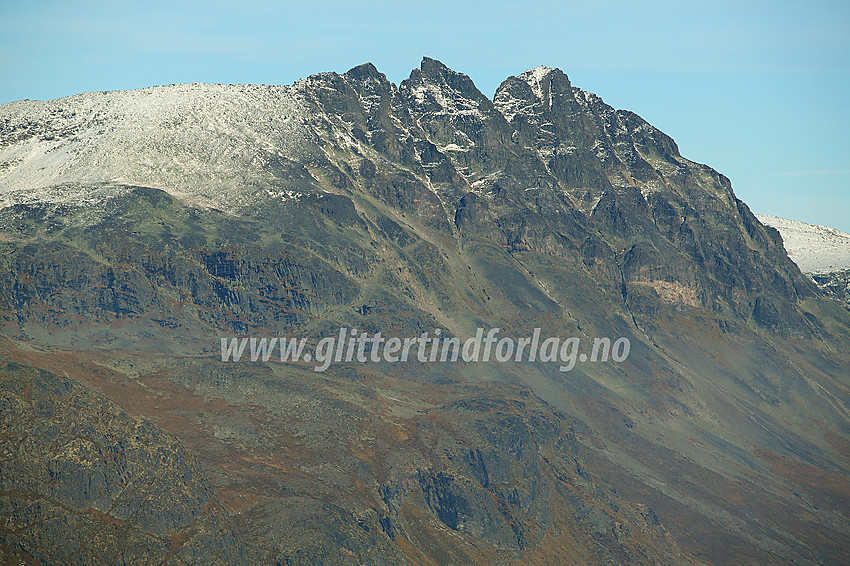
(816, 249)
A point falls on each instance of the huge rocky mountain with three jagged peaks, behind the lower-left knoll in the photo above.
(139, 227)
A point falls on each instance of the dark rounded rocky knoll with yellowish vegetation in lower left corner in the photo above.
(81, 482)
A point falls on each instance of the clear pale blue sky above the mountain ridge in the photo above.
(758, 90)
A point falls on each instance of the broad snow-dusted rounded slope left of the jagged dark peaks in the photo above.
(193, 140)
